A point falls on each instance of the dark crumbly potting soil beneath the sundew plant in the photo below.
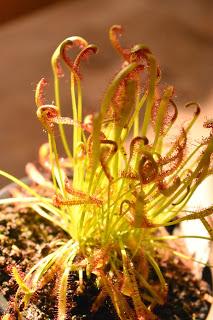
(25, 238)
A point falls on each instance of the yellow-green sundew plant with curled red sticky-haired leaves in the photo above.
(124, 178)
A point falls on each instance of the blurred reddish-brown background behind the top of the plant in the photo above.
(179, 32)
